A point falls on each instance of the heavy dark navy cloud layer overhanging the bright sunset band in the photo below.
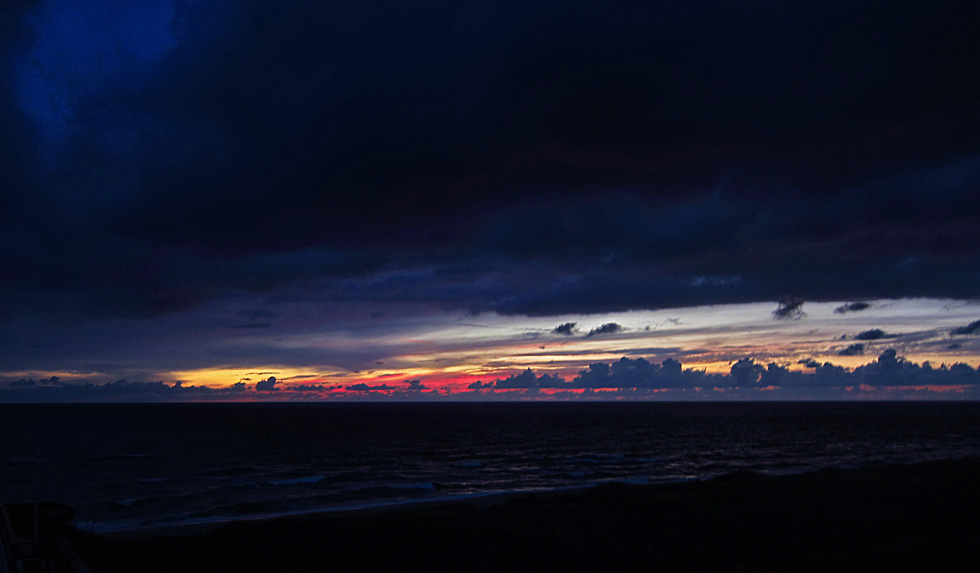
(682, 154)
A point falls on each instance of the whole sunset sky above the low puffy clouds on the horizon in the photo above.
(334, 189)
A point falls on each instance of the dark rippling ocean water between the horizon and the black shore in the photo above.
(143, 465)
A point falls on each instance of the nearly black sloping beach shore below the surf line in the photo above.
(903, 517)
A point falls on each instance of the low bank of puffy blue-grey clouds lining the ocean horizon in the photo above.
(888, 370)
